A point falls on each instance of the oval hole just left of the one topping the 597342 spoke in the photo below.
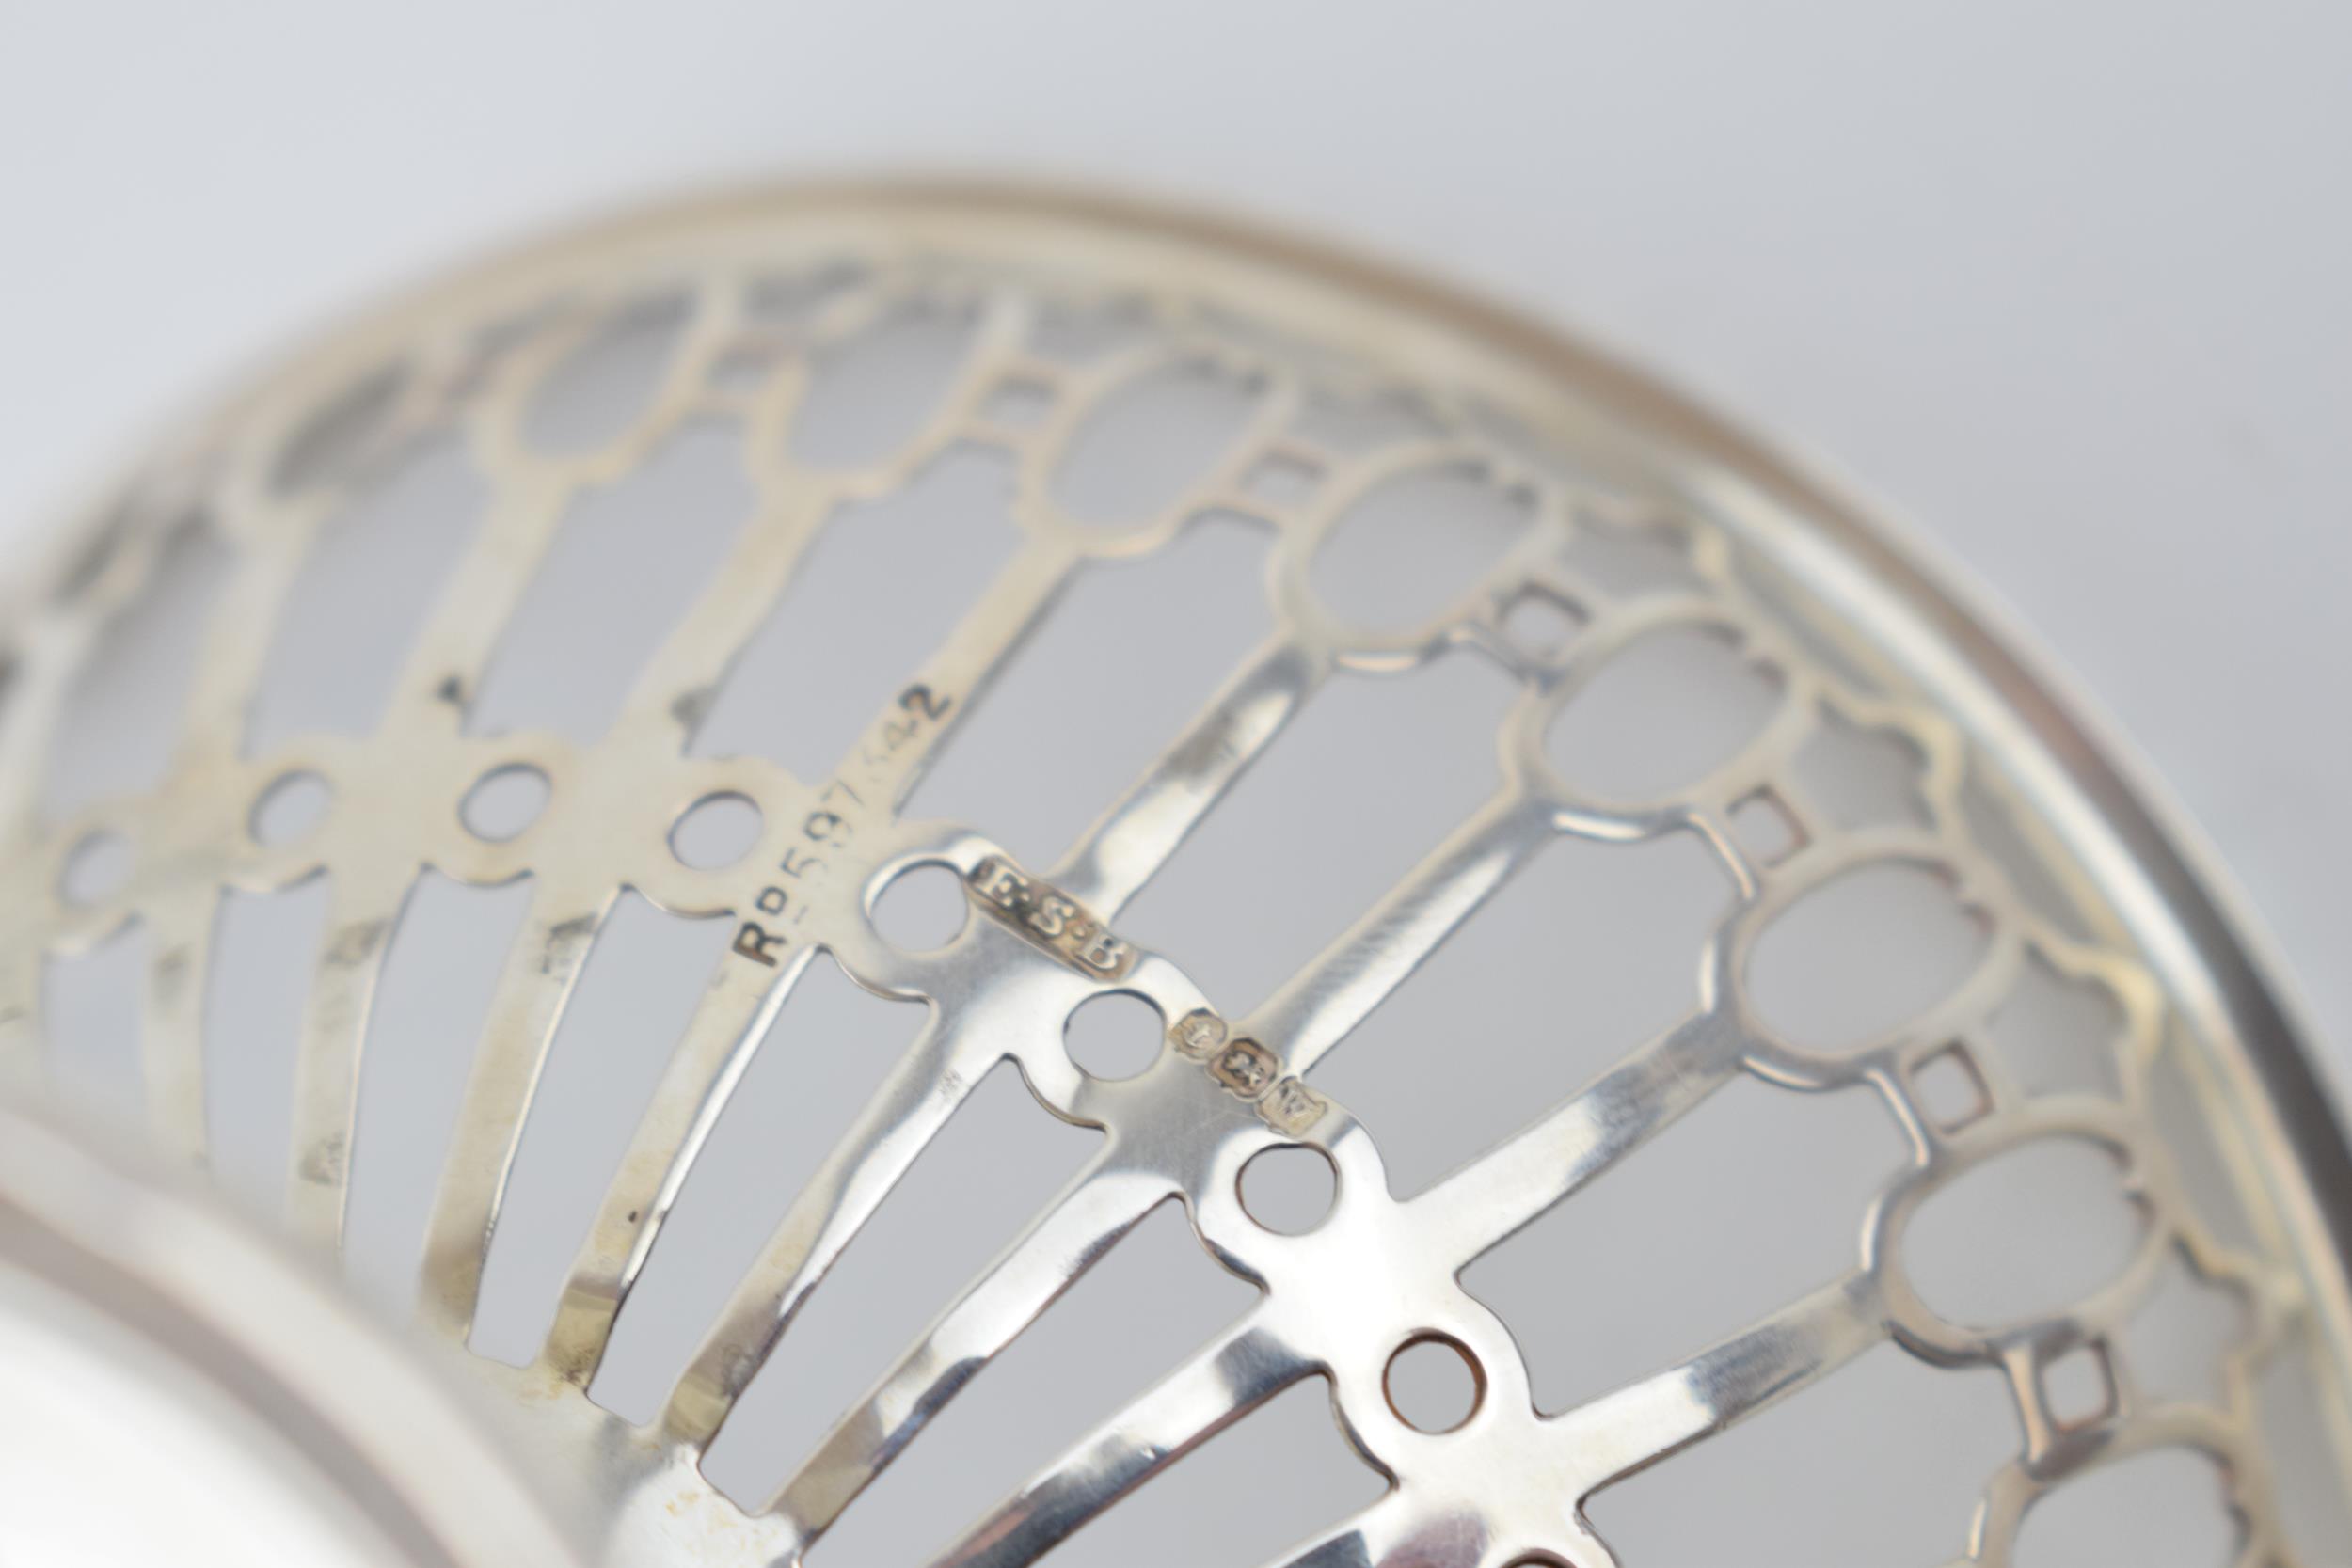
(874, 394)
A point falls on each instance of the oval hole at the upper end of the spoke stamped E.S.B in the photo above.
(1412, 544)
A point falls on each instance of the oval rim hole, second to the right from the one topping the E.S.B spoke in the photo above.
(1862, 956)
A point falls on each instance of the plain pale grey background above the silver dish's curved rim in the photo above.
(2071, 286)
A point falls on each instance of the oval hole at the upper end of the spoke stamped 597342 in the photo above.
(1149, 441)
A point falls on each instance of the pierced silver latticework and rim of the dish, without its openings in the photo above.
(766, 316)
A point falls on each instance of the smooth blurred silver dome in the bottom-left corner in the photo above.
(180, 1393)
